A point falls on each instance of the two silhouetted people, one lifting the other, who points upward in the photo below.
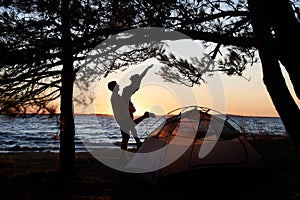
(123, 108)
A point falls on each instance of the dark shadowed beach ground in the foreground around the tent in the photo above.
(35, 175)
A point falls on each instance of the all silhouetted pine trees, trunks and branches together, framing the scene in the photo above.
(43, 43)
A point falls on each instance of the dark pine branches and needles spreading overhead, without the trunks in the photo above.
(31, 39)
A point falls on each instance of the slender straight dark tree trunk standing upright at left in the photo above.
(67, 127)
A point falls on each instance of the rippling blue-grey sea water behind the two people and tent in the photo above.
(40, 133)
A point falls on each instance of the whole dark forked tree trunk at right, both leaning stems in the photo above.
(277, 31)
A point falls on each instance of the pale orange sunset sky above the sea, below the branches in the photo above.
(241, 96)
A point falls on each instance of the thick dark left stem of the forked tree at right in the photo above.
(272, 76)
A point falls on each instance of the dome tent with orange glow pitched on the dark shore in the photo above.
(194, 138)
